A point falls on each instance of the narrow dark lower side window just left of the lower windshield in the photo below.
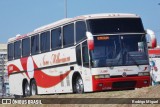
(85, 54)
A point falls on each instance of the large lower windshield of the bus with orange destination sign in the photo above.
(119, 50)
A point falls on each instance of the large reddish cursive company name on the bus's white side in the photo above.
(55, 59)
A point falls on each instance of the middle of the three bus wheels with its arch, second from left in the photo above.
(33, 87)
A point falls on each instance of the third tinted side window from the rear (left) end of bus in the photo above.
(26, 47)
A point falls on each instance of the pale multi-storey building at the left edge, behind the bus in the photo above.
(3, 69)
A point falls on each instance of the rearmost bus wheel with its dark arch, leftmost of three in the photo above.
(26, 88)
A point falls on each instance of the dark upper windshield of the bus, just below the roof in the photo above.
(115, 25)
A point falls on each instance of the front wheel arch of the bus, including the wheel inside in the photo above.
(77, 83)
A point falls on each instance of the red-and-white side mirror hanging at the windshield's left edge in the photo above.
(90, 40)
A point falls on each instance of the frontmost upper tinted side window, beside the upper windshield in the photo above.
(80, 31)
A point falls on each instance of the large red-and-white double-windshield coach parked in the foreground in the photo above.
(87, 53)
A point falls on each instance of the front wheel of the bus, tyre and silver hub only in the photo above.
(79, 87)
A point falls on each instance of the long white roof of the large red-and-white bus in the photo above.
(67, 20)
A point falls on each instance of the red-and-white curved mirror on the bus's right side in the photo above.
(153, 41)
